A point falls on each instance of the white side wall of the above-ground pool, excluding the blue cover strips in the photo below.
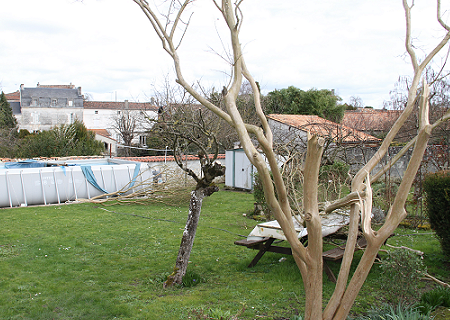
(52, 185)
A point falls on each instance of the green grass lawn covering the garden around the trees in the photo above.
(91, 261)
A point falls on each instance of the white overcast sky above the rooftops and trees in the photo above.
(109, 49)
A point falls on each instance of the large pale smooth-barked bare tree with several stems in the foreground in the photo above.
(309, 257)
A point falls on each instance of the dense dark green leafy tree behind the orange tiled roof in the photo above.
(322, 103)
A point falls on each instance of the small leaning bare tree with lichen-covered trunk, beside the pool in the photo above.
(184, 129)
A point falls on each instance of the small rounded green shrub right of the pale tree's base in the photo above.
(401, 272)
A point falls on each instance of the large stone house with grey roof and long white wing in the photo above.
(46, 106)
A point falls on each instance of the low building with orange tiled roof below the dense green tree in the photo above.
(294, 128)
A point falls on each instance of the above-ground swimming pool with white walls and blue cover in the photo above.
(53, 182)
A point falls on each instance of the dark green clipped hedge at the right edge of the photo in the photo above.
(437, 192)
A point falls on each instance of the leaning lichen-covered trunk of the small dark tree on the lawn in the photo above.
(187, 241)
